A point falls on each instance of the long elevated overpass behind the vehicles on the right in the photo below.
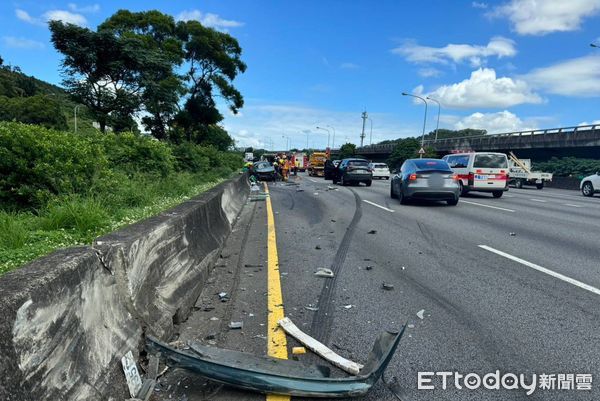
(580, 141)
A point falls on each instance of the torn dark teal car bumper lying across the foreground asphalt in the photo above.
(279, 376)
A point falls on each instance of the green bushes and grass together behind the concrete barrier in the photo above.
(58, 189)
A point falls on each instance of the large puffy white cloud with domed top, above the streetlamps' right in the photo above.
(484, 90)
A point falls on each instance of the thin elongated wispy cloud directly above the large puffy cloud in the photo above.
(498, 46)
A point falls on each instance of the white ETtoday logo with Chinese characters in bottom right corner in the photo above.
(507, 381)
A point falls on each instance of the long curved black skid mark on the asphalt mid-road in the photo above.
(323, 319)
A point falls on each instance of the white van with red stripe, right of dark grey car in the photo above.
(480, 171)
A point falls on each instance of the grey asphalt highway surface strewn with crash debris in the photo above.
(509, 285)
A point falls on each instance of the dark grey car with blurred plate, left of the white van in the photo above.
(431, 179)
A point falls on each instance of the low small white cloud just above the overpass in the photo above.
(493, 123)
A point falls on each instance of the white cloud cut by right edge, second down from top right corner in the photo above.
(579, 77)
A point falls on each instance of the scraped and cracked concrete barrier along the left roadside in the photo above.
(68, 318)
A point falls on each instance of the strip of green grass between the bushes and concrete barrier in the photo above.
(77, 220)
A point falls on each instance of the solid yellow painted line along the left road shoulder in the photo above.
(276, 340)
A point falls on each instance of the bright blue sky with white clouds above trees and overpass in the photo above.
(498, 65)
